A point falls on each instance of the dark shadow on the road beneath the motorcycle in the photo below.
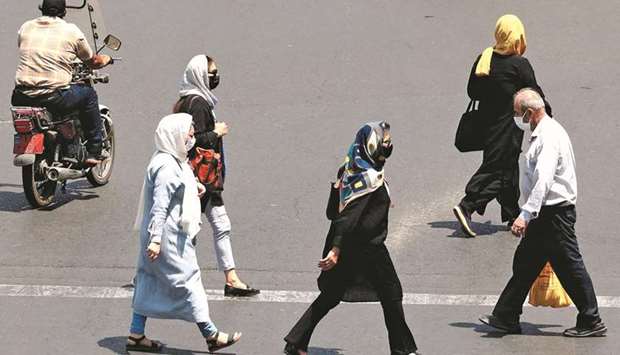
(13, 201)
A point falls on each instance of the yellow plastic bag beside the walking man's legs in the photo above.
(547, 291)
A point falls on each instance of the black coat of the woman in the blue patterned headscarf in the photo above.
(364, 267)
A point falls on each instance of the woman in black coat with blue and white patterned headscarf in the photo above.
(356, 265)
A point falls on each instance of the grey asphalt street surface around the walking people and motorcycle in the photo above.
(298, 79)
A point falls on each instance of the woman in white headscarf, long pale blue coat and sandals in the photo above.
(168, 283)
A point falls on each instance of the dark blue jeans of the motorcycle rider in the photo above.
(79, 98)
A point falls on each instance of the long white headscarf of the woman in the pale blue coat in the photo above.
(170, 137)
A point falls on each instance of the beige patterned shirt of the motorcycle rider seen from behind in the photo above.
(47, 47)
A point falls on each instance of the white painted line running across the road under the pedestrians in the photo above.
(268, 296)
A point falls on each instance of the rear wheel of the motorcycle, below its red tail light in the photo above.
(39, 190)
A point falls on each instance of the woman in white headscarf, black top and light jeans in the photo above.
(197, 99)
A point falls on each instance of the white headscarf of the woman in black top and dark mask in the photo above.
(196, 80)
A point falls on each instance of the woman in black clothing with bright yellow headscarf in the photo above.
(497, 74)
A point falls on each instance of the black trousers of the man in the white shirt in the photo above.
(550, 238)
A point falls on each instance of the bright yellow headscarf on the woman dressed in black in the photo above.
(509, 40)
